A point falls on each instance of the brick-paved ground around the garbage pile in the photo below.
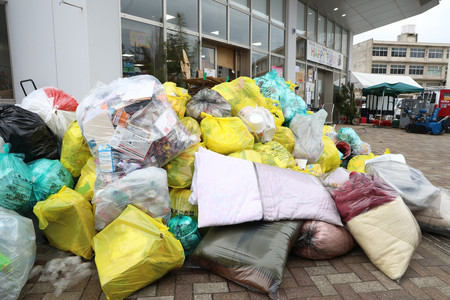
(348, 277)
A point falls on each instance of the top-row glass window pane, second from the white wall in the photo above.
(186, 9)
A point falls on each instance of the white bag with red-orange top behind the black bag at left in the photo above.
(57, 118)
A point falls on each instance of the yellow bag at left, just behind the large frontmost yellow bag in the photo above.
(67, 220)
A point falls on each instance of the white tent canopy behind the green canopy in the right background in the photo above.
(363, 80)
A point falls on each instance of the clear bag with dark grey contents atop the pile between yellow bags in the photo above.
(210, 102)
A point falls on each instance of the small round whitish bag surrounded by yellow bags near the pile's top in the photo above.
(259, 121)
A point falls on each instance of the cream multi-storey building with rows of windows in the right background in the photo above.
(426, 63)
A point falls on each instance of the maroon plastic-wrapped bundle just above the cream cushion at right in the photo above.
(361, 193)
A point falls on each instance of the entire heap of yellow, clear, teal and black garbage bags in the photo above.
(139, 177)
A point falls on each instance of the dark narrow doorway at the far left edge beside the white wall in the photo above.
(6, 86)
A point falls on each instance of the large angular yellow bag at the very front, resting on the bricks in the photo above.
(134, 251)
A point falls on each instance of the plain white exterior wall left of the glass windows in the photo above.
(60, 45)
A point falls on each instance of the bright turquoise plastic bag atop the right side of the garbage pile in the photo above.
(274, 87)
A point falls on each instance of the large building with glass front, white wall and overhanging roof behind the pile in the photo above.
(74, 44)
